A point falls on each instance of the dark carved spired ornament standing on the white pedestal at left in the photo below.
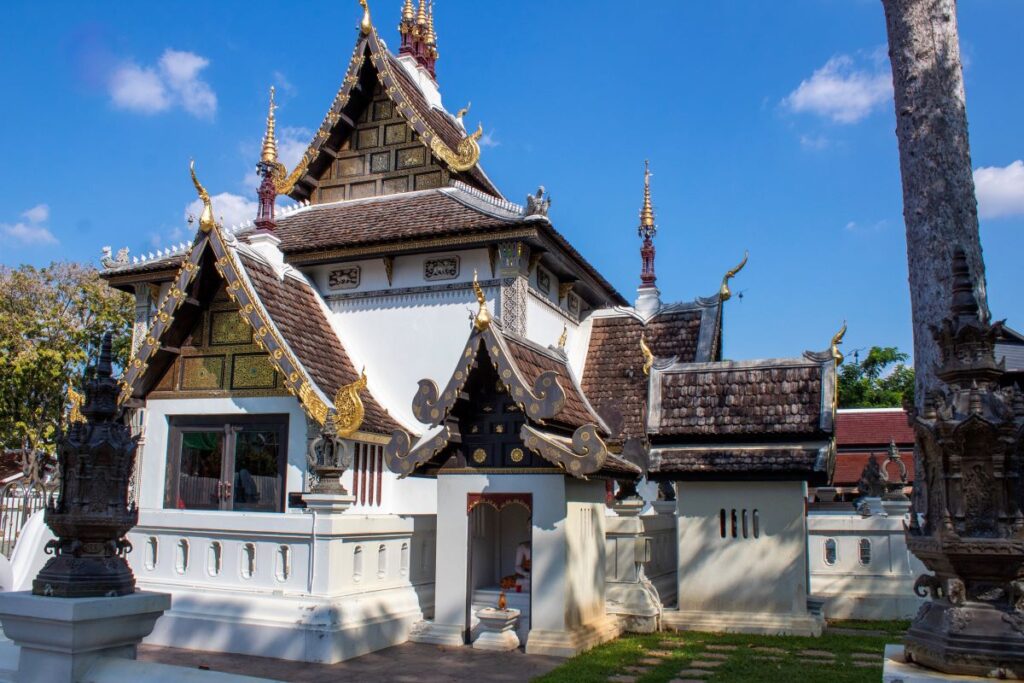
(92, 514)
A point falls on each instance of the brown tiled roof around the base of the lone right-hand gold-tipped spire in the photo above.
(613, 377)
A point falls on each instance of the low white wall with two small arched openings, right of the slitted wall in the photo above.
(870, 582)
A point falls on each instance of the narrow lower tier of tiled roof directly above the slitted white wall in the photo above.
(740, 460)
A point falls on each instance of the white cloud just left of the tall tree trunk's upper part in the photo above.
(841, 93)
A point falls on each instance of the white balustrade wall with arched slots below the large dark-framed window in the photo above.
(304, 587)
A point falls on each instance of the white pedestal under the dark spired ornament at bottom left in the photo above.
(62, 638)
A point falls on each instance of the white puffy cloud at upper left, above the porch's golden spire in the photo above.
(174, 82)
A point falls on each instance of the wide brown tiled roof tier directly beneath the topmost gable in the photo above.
(391, 219)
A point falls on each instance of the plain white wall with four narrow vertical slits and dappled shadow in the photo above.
(743, 575)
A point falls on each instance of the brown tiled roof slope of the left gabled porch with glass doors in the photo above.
(294, 309)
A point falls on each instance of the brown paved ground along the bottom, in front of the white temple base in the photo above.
(410, 663)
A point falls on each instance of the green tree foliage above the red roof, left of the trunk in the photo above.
(881, 380)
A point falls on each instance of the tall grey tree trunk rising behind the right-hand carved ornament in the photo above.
(940, 206)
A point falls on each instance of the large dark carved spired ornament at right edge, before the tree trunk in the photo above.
(970, 439)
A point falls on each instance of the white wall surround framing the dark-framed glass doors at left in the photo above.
(153, 458)
